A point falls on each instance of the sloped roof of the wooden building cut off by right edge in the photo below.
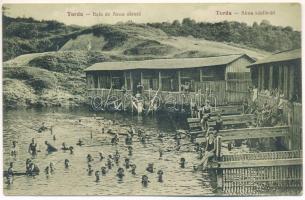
(280, 57)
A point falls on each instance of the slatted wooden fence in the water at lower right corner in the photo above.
(261, 173)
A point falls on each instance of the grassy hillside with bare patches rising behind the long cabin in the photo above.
(56, 78)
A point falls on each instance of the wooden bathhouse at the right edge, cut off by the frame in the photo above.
(278, 80)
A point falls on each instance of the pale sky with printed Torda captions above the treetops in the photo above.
(278, 14)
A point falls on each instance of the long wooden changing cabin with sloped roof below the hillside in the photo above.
(224, 79)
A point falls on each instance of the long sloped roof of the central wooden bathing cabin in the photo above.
(176, 63)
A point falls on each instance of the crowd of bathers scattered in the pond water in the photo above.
(124, 165)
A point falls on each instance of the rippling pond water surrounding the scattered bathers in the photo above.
(75, 180)
